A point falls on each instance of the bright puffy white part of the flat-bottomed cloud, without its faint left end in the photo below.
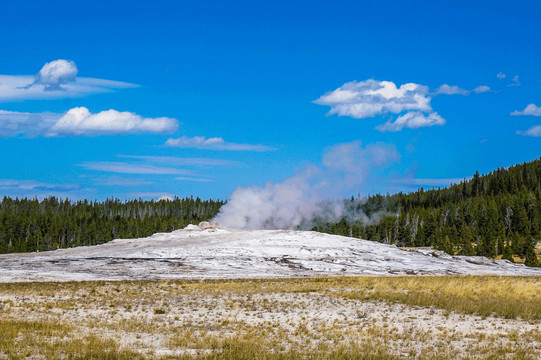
(80, 121)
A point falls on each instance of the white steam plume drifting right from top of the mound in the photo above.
(302, 198)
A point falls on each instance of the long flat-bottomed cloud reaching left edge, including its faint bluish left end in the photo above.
(81, 122)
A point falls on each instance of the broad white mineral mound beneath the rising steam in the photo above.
(208, 250)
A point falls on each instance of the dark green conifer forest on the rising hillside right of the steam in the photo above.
(494, 214)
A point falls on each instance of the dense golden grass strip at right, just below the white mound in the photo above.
(508, 297)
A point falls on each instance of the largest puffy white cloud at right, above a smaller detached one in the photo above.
(370, 98)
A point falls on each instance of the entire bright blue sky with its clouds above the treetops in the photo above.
(146, 99)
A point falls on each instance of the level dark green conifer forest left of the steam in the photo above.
(28, 225)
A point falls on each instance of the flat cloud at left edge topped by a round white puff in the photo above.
(56, 79)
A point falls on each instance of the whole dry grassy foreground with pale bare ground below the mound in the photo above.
(307, 318)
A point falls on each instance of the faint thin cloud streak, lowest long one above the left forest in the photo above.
(127, 168)
